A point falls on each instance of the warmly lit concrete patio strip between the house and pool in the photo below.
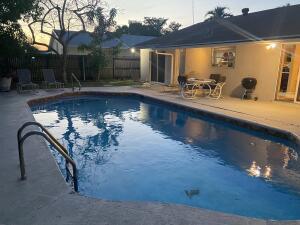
(275, 114)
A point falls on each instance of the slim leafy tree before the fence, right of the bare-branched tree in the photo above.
(104, 22)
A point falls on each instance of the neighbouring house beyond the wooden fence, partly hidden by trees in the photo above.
(126, 43)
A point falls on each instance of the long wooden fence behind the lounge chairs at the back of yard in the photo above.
(117, 68)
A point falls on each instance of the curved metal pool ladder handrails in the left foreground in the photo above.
(58, 147)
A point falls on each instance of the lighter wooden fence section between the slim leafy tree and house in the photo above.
(126, 68)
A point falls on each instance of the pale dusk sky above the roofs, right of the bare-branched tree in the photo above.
(181, 10)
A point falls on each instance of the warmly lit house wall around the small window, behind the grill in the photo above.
(252, 60)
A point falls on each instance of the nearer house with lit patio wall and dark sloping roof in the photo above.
(264, 45)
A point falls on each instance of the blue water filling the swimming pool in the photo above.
(140, 150)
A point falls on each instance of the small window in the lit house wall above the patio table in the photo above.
(223, 57)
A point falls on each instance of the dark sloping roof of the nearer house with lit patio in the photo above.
(274, 24)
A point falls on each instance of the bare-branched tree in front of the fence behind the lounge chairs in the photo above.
(64, 15)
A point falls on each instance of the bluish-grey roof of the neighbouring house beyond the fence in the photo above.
(126, 40)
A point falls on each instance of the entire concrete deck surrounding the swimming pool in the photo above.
(45, 198)
